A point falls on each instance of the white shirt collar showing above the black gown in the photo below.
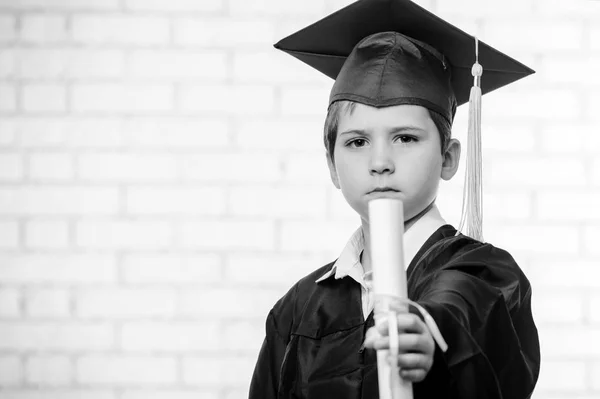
(348, 263)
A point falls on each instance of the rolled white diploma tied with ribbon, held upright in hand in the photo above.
(386, 225)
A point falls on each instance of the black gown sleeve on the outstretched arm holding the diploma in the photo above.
(482, 305)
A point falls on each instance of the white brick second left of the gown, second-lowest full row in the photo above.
(182, 337)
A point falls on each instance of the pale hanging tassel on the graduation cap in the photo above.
(472, 209)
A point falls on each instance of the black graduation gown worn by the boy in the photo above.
(477, 294)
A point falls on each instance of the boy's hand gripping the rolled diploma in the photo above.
(415, 345)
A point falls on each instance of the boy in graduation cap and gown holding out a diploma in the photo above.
(400, 74)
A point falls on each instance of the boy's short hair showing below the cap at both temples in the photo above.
(336, 109)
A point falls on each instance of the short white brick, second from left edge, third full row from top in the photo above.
(44, 97)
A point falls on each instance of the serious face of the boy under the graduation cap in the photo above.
(397, 147)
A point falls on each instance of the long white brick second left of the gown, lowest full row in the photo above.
(126, 370)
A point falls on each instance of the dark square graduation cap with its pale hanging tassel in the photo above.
(392, 52)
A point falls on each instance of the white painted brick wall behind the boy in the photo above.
(163, 182)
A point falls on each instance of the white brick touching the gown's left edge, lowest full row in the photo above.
(218, 371)
